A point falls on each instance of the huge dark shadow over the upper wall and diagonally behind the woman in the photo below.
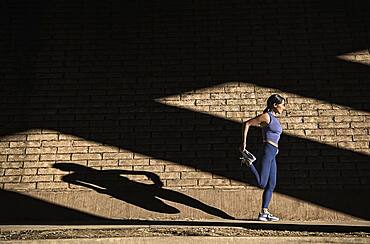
(98, 79)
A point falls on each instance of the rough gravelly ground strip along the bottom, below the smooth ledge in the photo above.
(163, 232)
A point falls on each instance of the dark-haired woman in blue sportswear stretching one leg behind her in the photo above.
(271, 131)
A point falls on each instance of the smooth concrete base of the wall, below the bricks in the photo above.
(196, 204)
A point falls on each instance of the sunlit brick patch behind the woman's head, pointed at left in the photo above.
(308, 118)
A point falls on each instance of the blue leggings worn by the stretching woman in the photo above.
(267, 178)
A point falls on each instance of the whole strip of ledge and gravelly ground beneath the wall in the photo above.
(228, 231)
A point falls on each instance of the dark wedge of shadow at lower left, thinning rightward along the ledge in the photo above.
(24, 210)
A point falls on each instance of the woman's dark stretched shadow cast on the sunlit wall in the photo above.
(147, 196)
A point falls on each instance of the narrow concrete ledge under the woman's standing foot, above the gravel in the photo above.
(308, 226)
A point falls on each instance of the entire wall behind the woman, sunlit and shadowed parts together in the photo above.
(122, 98)
